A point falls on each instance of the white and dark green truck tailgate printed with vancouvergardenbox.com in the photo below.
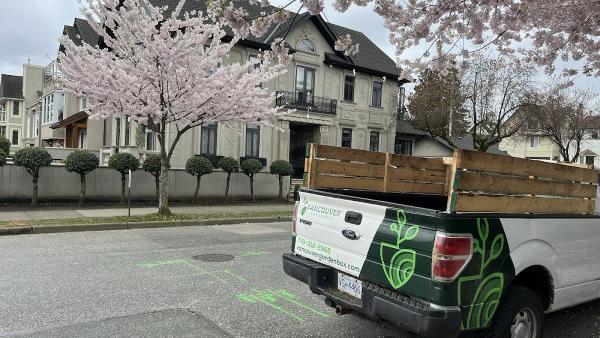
(391, 247)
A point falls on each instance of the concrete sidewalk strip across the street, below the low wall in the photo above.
(113, 212)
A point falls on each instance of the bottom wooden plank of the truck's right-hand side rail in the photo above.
(523, 204)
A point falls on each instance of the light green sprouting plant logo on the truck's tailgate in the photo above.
(401, 266)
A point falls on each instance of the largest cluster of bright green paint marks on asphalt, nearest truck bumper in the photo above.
(274, 300)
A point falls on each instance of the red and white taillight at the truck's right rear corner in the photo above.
(451, 254)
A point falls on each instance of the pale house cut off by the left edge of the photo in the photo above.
(12, 109)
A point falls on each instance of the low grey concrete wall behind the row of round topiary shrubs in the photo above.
(104, 184)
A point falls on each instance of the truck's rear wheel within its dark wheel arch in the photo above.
(520, 314)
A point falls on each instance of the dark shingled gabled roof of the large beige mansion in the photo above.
(369, 59)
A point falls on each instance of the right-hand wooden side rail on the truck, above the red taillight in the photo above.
(485, 182)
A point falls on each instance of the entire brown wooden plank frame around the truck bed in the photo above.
(472, 181)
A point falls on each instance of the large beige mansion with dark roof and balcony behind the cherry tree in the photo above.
(348, 101)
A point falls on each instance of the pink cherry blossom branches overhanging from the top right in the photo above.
(451, 31)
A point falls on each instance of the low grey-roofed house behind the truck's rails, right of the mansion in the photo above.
(415, 142)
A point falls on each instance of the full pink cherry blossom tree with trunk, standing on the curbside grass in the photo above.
(168, 70)
